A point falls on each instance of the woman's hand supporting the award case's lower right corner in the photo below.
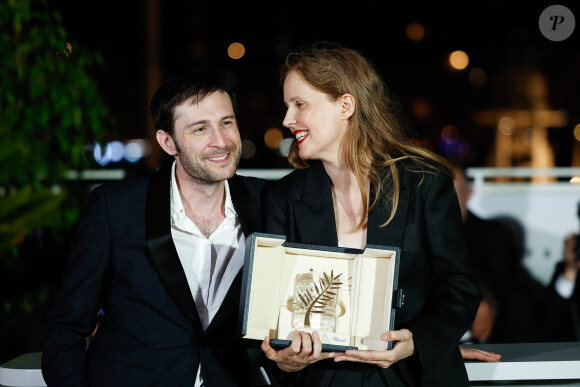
(404, 347)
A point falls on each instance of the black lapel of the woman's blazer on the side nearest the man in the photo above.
(314, 211)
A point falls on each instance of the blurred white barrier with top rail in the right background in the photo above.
(546, 206)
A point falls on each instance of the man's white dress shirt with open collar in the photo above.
(210, 264)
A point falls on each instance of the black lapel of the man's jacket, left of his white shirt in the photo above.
(163, 255)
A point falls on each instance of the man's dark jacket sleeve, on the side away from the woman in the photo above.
(72, 317)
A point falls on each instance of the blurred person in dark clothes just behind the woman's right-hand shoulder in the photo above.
(512, 299)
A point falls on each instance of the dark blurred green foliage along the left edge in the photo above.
(50, 109)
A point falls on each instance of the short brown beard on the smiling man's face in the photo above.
(202, 172)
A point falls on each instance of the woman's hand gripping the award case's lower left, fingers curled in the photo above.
(303, 350)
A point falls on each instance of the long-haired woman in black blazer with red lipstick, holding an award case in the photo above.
(364, 183)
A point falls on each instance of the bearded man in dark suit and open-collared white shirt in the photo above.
(161, 255)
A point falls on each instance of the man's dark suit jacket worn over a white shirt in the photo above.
(123, 260)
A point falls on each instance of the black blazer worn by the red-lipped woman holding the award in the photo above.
(441, 297)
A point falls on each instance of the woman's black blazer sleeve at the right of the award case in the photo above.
(454, 296)
